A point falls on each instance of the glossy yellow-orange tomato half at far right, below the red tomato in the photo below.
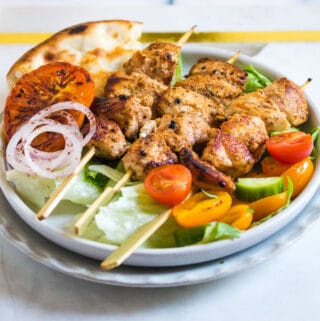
(300, 174)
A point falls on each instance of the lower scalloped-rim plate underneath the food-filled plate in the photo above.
(62, 260)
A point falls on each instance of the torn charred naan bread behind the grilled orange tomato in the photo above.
(100, 47)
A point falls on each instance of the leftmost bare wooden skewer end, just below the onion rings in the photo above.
(58, 194)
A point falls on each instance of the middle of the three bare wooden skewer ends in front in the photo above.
(104, 198)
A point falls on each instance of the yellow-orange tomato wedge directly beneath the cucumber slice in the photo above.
(267, 205)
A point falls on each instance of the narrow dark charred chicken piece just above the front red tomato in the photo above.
(204, 175)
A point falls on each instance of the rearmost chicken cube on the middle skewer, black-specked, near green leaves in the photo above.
(220, 70)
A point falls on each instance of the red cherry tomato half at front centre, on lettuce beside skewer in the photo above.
(169, 184)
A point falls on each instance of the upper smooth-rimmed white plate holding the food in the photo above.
(55, 229)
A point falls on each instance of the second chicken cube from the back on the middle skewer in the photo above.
(220, 90)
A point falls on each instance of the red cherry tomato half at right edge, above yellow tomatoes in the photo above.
(290, 147)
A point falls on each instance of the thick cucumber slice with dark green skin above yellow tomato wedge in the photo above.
(252, 189)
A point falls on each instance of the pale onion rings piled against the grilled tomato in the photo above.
(23, 157)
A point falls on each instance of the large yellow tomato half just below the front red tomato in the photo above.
(199, 209)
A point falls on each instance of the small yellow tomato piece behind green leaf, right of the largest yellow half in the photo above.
(239, 216)
